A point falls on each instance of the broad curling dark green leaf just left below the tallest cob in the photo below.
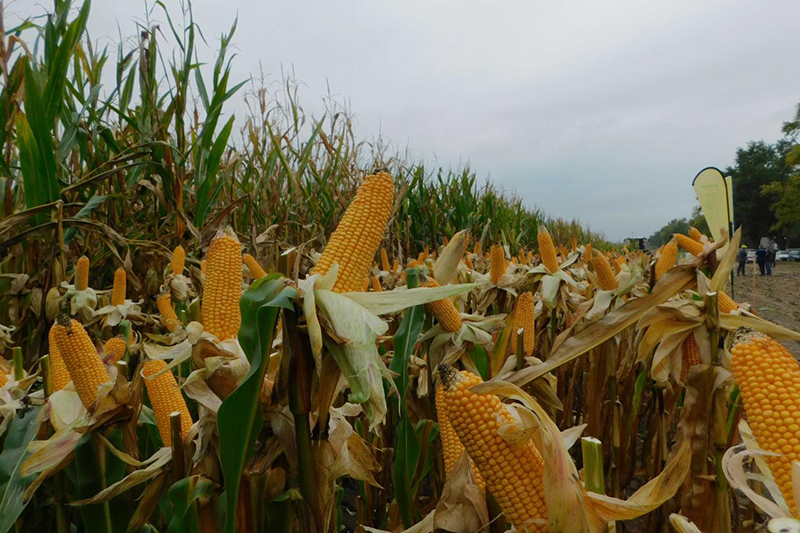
(239, 419)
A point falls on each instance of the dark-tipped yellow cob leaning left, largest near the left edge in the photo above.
(85, 368)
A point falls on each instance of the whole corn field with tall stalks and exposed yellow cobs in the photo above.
(269, 325)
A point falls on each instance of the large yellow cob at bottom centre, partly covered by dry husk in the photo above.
(514, 477)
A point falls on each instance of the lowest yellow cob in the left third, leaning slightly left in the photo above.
(165, 398)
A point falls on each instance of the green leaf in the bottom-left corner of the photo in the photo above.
(21, 431)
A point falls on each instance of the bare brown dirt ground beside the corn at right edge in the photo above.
(775, 298)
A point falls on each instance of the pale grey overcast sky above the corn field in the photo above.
(602, 111)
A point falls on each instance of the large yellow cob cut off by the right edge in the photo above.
(769, 380)
